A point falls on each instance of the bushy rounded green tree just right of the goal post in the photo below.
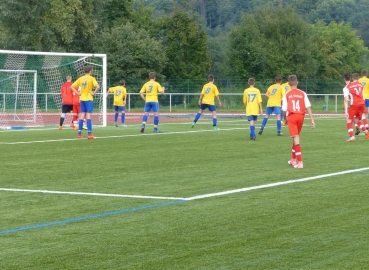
(131, 53)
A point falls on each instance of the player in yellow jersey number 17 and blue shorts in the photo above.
(252, 100)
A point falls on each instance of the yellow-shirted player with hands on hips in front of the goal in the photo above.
(88, 87)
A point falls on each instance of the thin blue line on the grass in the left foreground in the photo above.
(37, 226)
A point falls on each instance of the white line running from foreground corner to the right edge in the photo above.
(273, 184)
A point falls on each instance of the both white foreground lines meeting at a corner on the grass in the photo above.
(194, 197)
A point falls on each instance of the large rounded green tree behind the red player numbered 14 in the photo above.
(271, 41)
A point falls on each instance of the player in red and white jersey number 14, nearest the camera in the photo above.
(294, 105)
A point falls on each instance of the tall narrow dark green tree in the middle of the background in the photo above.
(185, 47)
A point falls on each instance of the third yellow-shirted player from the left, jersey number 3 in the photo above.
(149, 93)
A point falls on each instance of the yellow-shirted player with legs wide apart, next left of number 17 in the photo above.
(206, 100)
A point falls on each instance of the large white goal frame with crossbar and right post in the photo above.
(104, 72)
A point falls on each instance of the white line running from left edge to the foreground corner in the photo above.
(90, 194)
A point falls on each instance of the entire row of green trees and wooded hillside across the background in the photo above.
(187, 39)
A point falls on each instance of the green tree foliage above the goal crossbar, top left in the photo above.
(50, 25)
